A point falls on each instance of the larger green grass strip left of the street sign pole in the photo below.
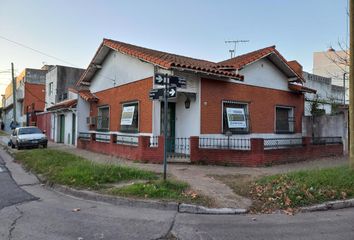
(71, 170)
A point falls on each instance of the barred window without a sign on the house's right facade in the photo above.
(284, 119)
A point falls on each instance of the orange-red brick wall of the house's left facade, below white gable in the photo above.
(114, 97)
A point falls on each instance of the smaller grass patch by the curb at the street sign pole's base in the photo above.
(163, 190)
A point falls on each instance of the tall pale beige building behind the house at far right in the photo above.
(333, 64)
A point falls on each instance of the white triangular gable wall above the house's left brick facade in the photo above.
(118, 69)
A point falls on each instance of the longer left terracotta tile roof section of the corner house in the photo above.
(163, 59)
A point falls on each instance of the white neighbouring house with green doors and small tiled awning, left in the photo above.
(59, 118)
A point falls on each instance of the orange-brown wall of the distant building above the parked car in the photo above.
(34, 94)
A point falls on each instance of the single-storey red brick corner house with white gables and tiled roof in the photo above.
(258, 95)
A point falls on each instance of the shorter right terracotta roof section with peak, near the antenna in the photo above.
(241, 61)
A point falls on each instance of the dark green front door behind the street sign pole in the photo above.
(171, 125)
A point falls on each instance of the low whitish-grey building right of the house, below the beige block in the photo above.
(328, 95)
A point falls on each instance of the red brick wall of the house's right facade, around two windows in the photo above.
(262, 102)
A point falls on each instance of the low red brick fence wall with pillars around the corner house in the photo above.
(255, 156)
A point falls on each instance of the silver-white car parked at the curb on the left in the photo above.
(22, 137)
